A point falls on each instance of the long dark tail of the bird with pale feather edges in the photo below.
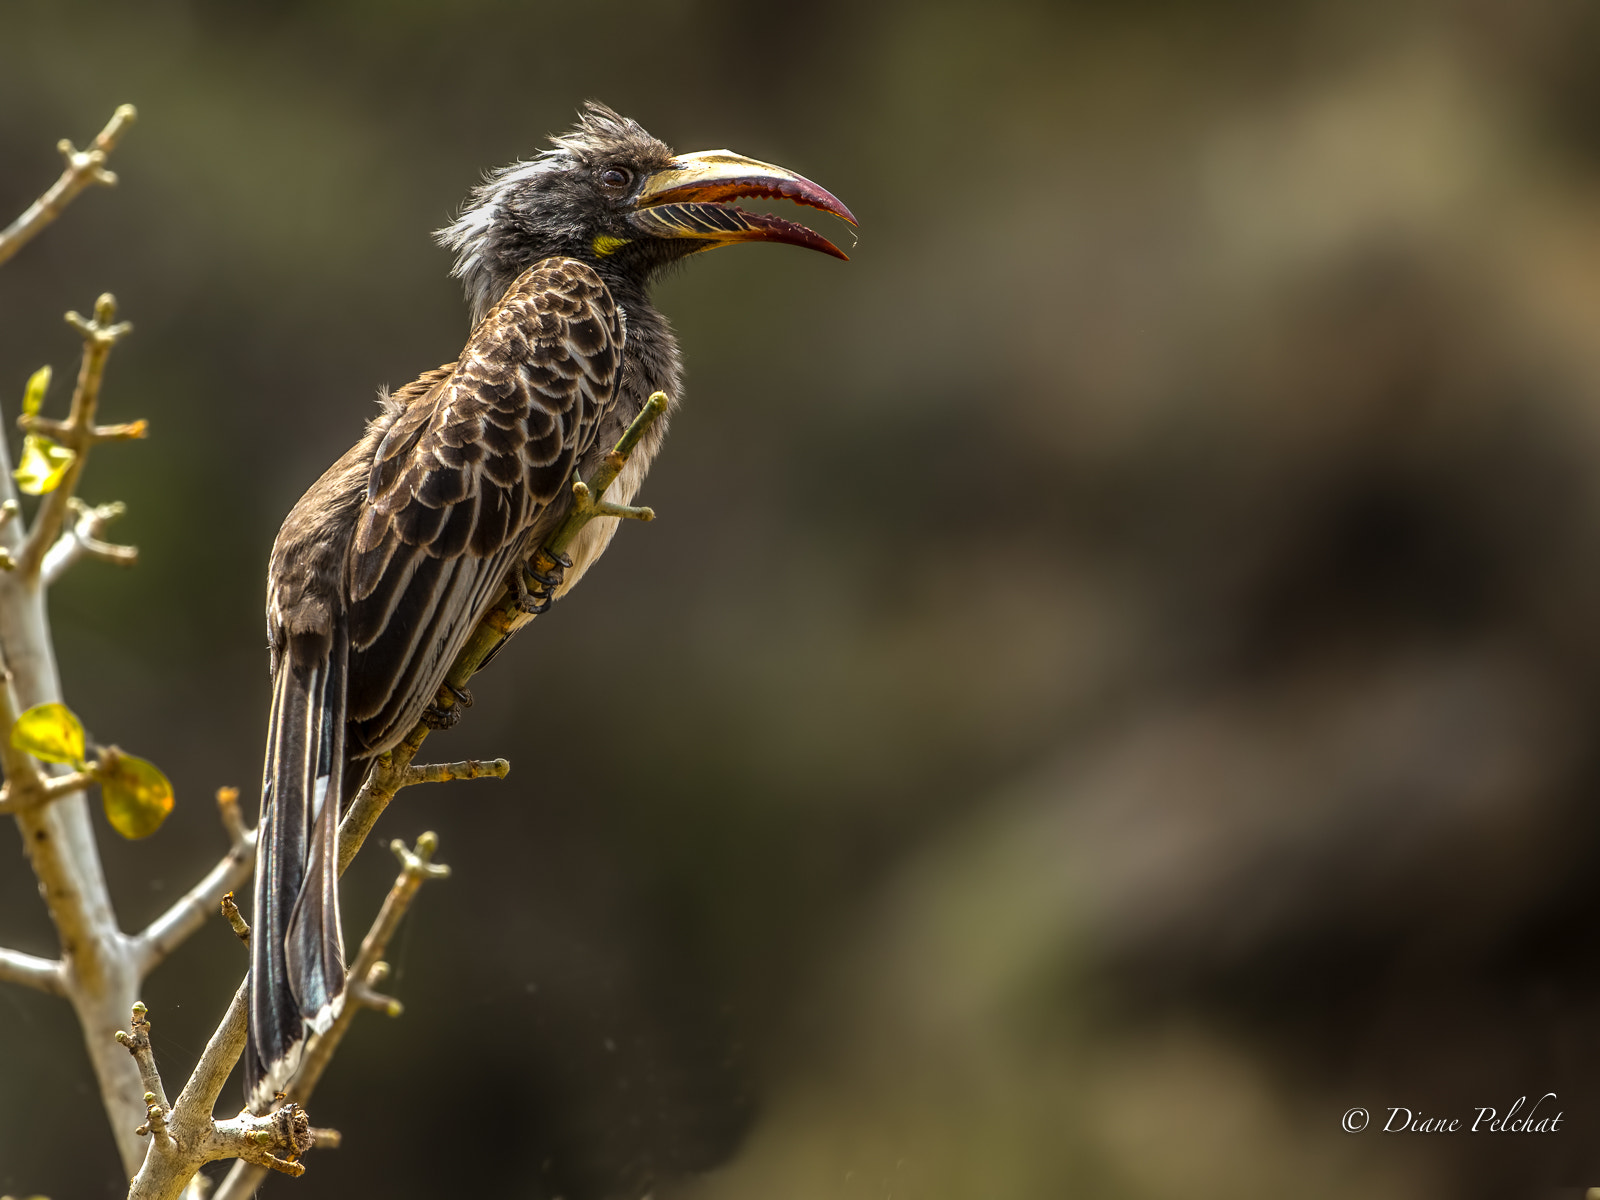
(297, 950)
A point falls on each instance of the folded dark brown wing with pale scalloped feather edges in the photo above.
(460, 479)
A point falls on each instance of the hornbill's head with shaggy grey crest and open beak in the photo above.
(622, 201)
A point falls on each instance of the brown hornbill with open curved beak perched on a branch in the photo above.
(385, 567)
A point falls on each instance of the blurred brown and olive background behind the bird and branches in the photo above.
(1116, 678)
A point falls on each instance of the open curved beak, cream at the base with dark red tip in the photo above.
(687, 201)
